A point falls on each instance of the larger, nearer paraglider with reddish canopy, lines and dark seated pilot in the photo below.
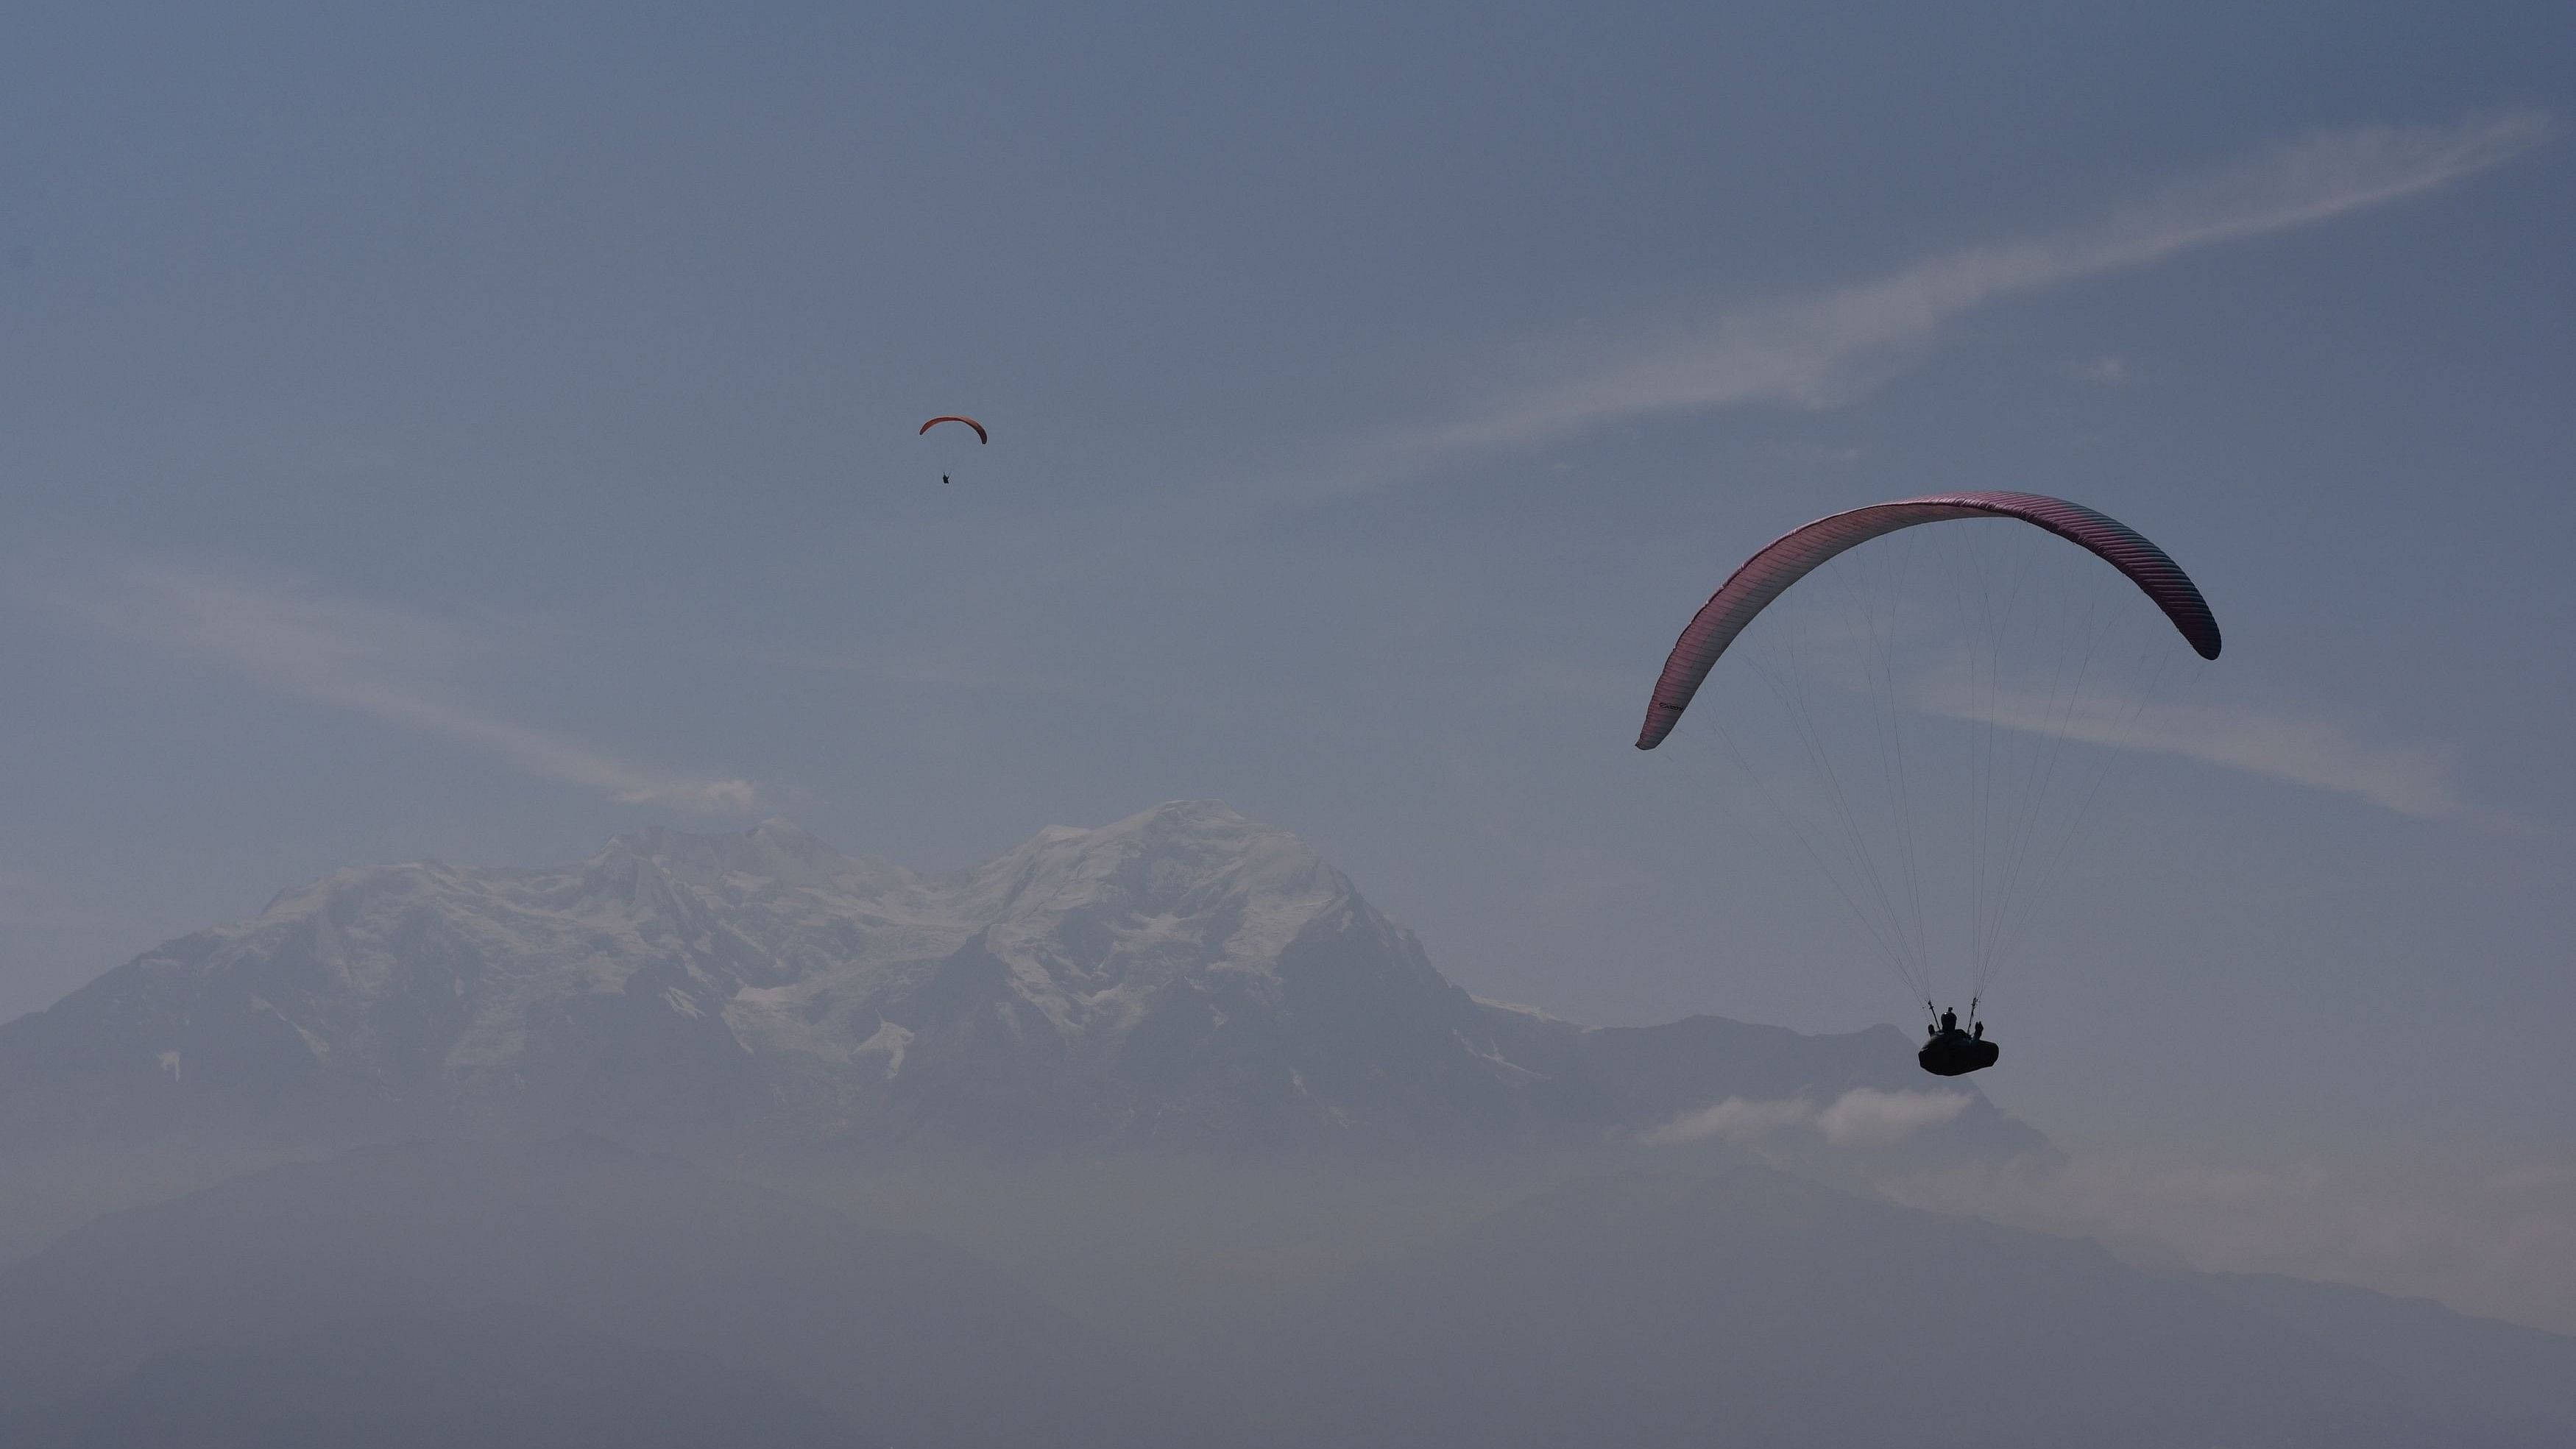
(1884, 869)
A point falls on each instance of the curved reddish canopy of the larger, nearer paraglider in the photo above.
(1797, 555)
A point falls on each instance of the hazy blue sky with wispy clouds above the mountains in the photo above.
(470, 434)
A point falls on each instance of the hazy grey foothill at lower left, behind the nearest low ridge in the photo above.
(898, 1332)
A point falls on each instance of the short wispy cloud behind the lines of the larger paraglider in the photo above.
(2405, 779)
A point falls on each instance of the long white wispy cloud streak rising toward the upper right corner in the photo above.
(1817, 351)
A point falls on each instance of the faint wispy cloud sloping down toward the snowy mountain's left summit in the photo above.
(362, 658)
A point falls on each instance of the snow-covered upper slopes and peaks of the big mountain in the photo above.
(766, 936)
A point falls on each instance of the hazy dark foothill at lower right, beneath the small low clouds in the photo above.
(1756, 1309)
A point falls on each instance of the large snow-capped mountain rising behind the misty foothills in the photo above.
(1184, 977)
